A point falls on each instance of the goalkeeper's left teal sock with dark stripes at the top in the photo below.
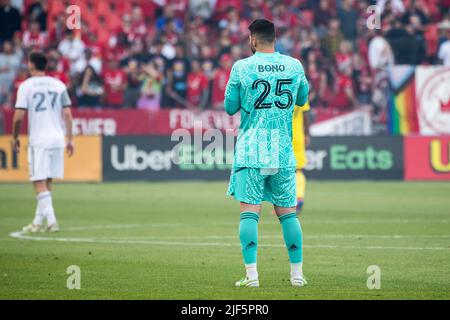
(248, 234)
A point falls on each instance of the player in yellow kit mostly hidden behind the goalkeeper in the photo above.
(300, 140)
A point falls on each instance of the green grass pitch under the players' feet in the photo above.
(179, 241)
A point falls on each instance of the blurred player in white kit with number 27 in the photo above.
(47, 103)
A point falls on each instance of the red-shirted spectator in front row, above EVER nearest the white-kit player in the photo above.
(115, 82)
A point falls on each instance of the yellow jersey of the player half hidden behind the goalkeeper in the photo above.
(298, 135)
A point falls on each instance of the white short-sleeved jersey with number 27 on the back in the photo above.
(44, 98)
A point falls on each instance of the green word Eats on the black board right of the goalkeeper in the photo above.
(341, 158)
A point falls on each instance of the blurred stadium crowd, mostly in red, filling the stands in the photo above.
(151, 54)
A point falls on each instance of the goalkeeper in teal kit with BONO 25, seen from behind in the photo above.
(264, 88)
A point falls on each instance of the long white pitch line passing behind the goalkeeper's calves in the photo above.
(22, 236)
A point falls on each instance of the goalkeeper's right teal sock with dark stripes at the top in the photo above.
(292, 234)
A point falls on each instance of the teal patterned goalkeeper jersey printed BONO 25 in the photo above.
(264, 88)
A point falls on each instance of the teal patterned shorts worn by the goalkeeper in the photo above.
(255, 185)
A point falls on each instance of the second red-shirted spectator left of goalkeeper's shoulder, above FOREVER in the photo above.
(197, 86)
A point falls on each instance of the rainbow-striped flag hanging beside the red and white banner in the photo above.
(402, 111)
